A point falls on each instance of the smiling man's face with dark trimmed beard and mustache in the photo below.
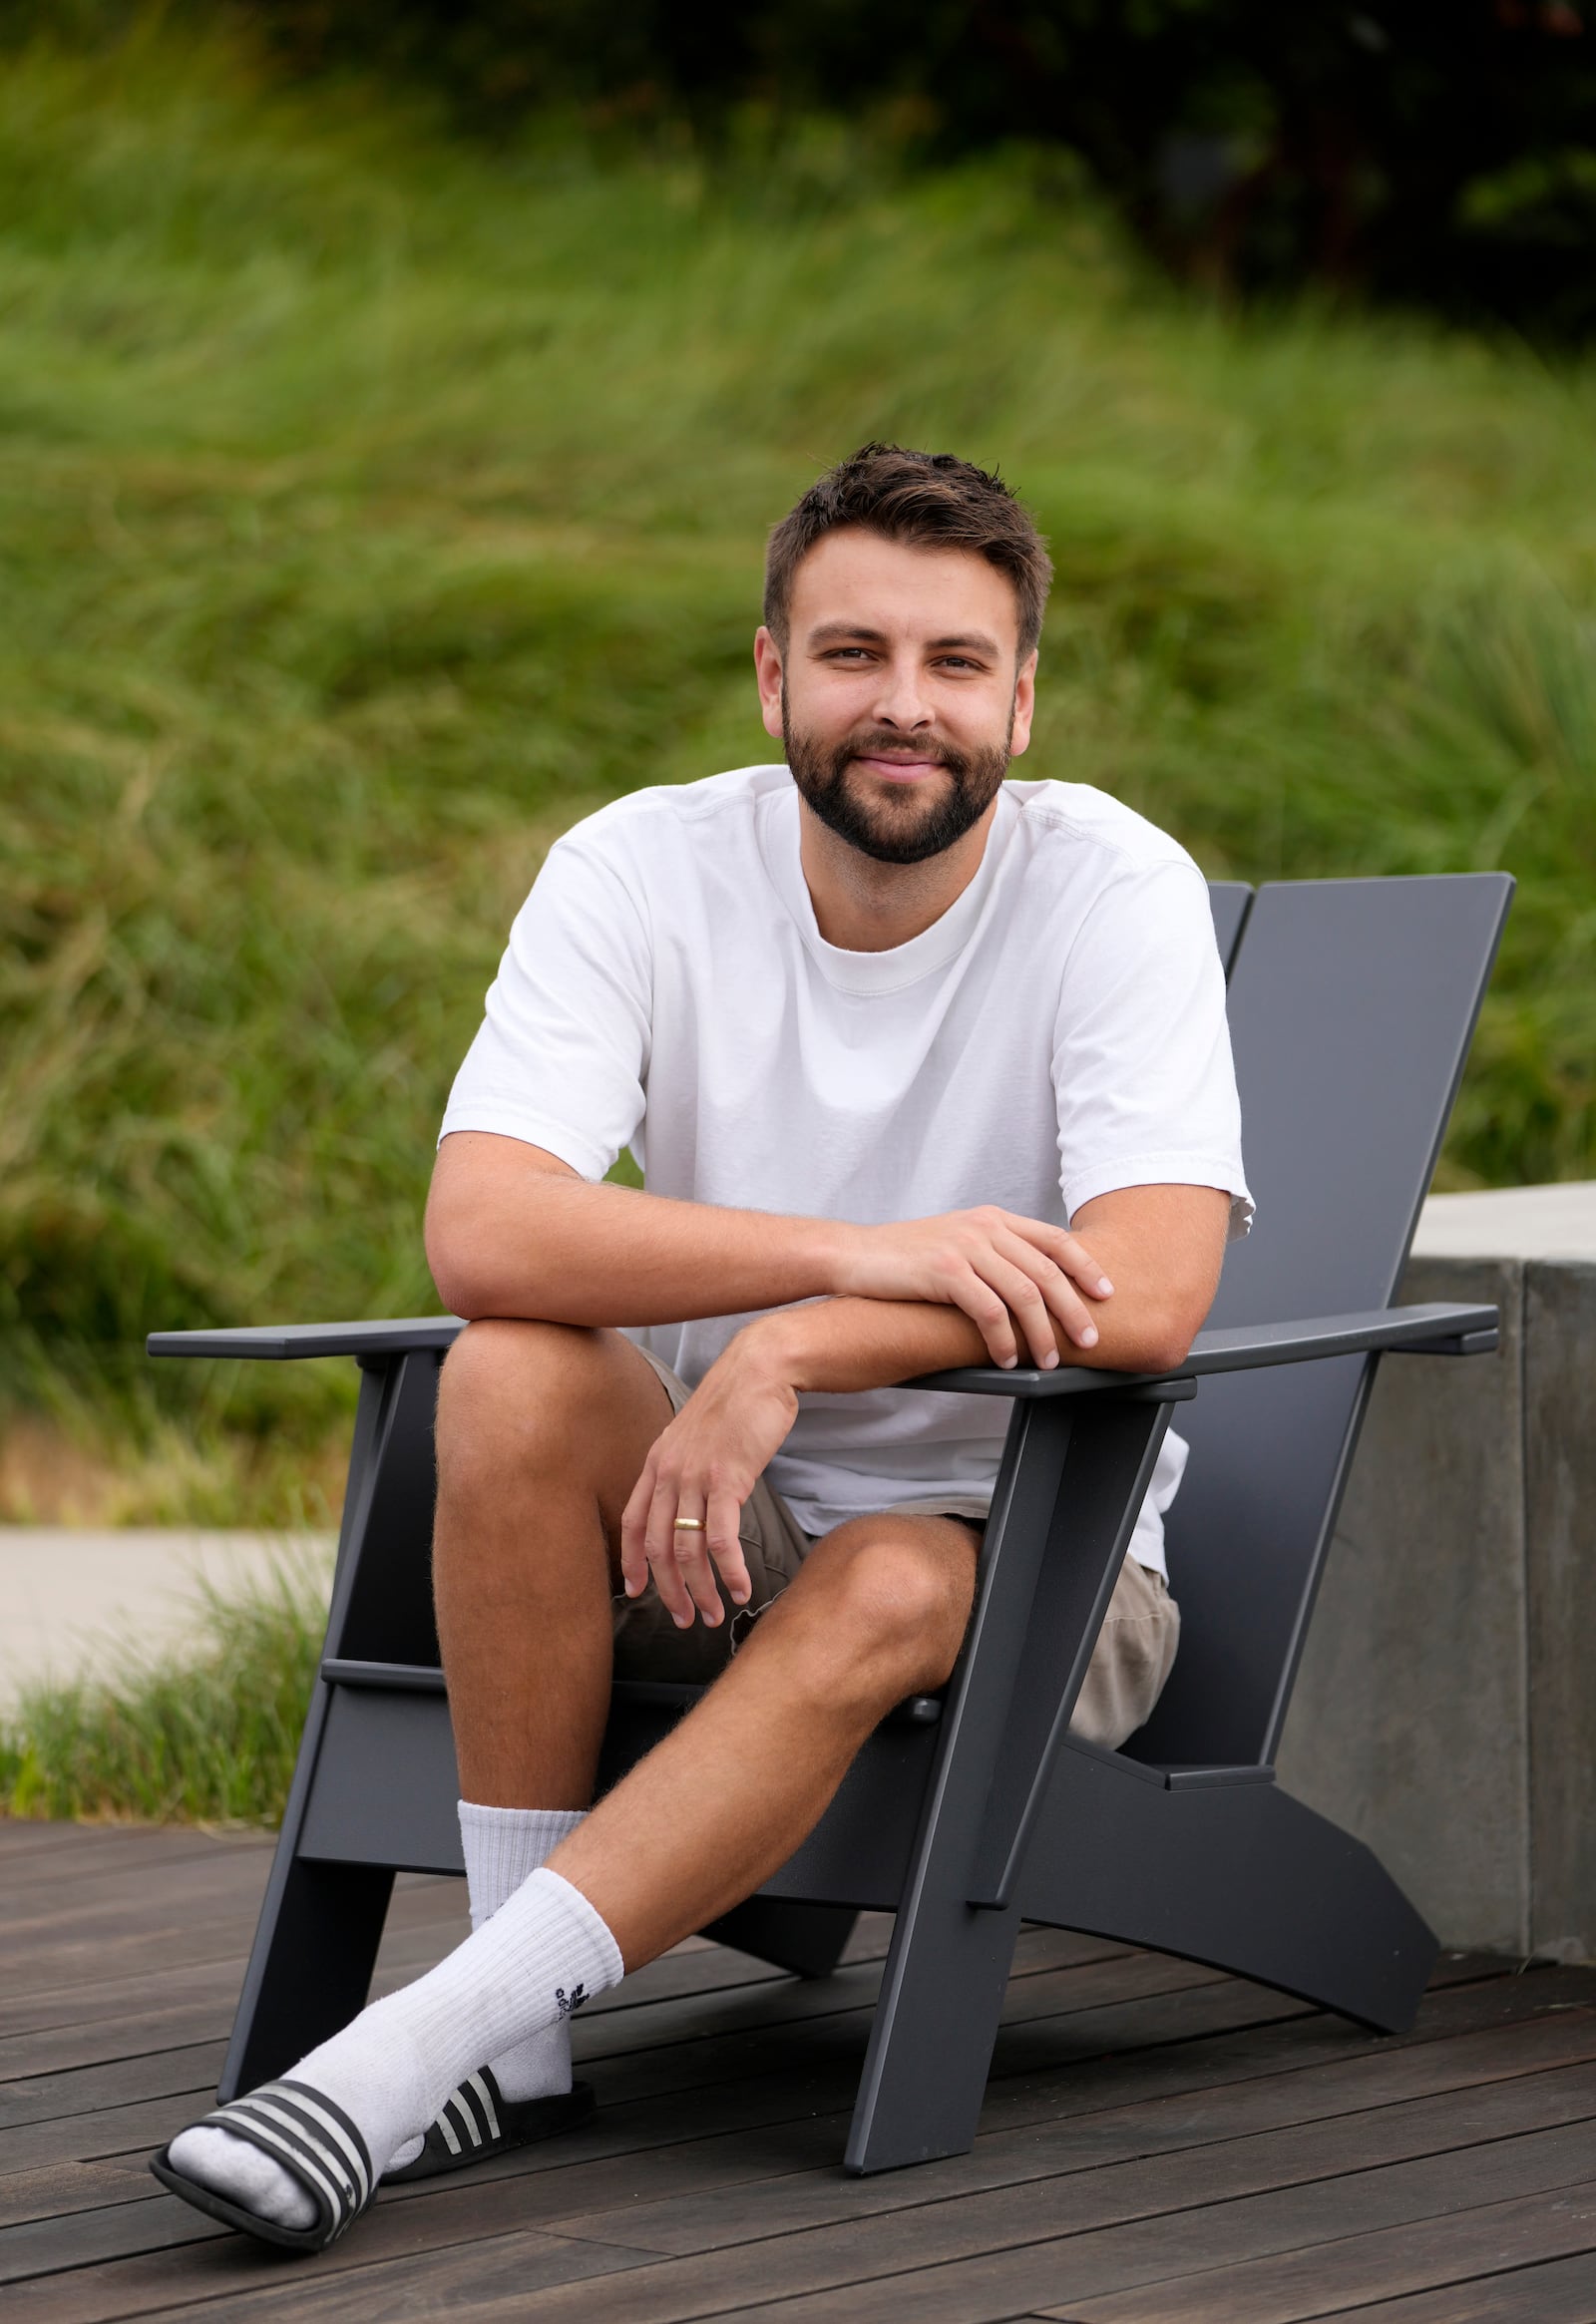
(898, 696)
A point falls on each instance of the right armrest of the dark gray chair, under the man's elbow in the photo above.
(1416, 1330)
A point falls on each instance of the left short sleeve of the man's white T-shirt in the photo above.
(561, 1059)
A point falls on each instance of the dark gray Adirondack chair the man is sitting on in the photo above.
(1353, 1005)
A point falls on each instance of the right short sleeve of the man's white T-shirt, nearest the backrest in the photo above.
(1142, 1066)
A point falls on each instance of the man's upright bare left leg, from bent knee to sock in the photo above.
(542, 1433)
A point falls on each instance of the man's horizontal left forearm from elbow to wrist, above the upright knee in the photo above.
(522, 1235)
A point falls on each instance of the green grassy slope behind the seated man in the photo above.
(371, 508)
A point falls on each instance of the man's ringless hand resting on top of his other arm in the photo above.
(1009, 1275)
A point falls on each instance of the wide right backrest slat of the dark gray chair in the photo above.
(1353, 1005)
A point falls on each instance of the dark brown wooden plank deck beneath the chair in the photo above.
(1160, 2144)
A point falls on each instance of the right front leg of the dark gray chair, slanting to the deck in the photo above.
(1067, 1495)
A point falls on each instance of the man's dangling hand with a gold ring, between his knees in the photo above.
(705, 1465)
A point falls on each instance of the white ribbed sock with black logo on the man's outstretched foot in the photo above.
(538, 1960)
